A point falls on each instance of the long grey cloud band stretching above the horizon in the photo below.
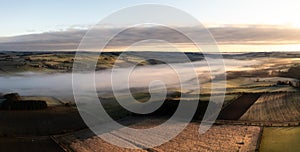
(229, 34)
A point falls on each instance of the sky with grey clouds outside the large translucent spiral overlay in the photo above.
(274, 24)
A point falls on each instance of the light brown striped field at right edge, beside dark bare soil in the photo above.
(280, 107)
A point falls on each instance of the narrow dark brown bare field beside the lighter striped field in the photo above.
(237, 108)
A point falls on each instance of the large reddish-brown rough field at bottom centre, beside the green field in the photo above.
(218, 138)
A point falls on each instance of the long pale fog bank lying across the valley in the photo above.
(60, 85)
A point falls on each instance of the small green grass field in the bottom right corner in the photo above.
(280, 139)
